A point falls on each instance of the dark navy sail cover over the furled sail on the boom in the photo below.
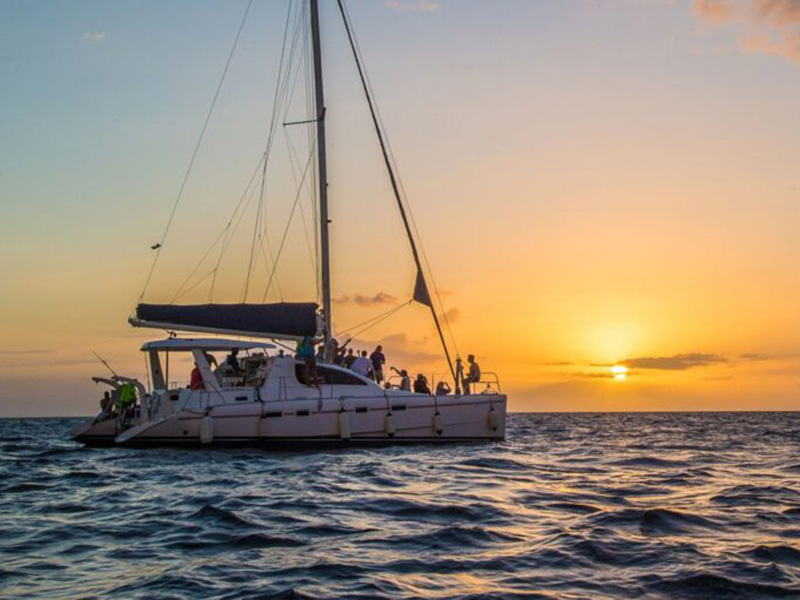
(285, 319)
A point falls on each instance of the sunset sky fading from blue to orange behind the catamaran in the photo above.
(596, 183)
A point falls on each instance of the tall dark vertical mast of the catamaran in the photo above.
(322, 166)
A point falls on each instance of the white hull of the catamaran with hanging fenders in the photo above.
(328, 422)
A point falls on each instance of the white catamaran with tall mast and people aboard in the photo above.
(270, 397)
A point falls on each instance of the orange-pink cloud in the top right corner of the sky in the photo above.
(765, 26)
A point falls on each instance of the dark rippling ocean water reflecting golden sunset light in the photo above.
(570, 506)
